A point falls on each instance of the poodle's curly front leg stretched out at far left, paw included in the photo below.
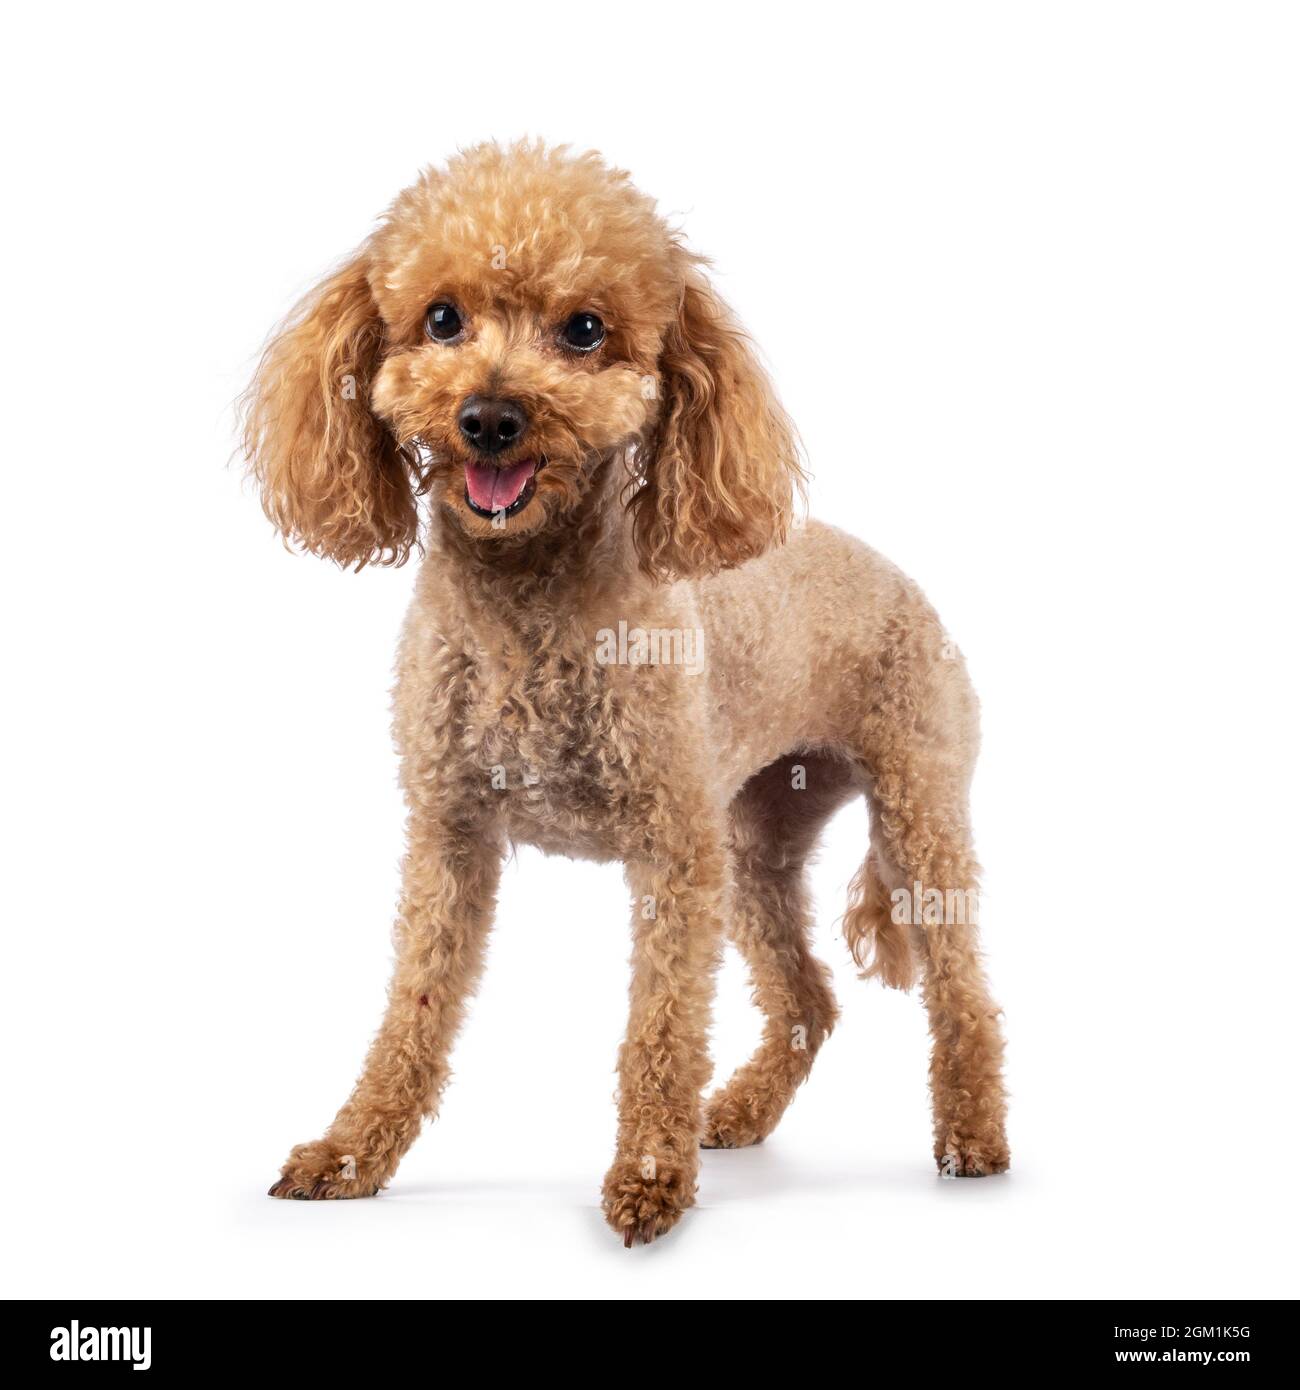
(450, 888)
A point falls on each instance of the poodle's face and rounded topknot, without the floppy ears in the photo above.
(526, 300)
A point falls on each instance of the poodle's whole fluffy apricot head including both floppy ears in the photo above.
(518, 319)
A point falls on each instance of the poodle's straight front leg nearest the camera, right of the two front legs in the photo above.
(664, 1063)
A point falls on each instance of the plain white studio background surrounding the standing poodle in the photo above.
(1045, 261)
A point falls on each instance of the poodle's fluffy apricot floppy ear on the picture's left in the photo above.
(333, 477)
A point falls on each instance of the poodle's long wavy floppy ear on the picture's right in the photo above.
(721, 465)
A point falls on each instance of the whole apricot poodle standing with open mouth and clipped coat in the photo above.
(624, 646)
